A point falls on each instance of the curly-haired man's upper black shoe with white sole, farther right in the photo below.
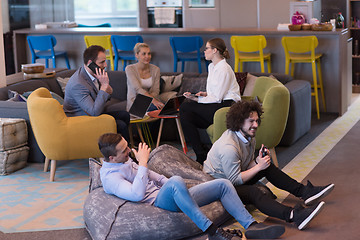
(314, 194)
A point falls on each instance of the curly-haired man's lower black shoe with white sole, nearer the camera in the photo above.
(302, 216)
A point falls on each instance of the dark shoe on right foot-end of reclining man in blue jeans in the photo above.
(262, 231)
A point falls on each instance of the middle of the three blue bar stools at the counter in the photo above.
(123, 48)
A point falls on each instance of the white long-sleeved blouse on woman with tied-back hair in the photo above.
(221, 84)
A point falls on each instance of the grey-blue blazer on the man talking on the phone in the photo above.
(82, 97)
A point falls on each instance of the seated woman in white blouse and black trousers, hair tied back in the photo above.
(222, 90)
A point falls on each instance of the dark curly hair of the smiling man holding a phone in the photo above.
(240, 111)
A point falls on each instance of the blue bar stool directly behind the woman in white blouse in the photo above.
(187, 49)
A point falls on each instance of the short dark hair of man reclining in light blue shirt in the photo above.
(107, 144)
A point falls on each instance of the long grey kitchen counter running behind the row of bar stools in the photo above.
(335, 46)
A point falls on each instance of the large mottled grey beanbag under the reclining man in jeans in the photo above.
(109, 217)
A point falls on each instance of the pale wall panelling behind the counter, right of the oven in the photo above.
(238, 14)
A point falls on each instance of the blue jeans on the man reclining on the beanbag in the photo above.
(174, 196)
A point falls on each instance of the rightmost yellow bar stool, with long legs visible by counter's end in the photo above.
(302, 50)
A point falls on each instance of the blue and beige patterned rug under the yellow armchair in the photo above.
(29, 202)
